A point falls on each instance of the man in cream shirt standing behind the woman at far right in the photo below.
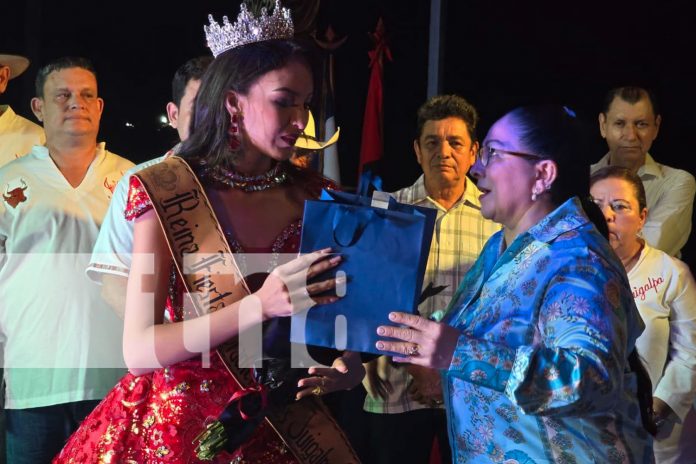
(630, 122)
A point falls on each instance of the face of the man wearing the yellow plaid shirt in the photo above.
(445, 150)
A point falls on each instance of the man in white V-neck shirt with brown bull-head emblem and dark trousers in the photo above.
(62, 342)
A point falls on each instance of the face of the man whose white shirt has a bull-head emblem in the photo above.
(69, 105)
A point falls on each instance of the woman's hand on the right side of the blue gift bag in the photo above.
(423, 342)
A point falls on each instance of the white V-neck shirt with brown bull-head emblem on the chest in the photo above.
(53, 323)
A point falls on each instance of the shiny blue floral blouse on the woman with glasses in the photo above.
(540, 372)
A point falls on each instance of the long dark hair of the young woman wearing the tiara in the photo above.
(234, 70)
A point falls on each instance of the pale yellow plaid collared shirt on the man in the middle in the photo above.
(458, 238)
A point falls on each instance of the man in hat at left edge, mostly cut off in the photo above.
(17, 134)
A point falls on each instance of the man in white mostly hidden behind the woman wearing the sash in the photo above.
(111, 258)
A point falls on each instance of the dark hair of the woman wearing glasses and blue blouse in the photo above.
(554, 132)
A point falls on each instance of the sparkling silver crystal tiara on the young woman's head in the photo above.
(248, 29)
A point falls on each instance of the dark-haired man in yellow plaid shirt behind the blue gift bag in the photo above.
(404, 403)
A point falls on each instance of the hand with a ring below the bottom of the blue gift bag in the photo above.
(345, 373)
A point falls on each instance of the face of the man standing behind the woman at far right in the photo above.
(629, 129)
